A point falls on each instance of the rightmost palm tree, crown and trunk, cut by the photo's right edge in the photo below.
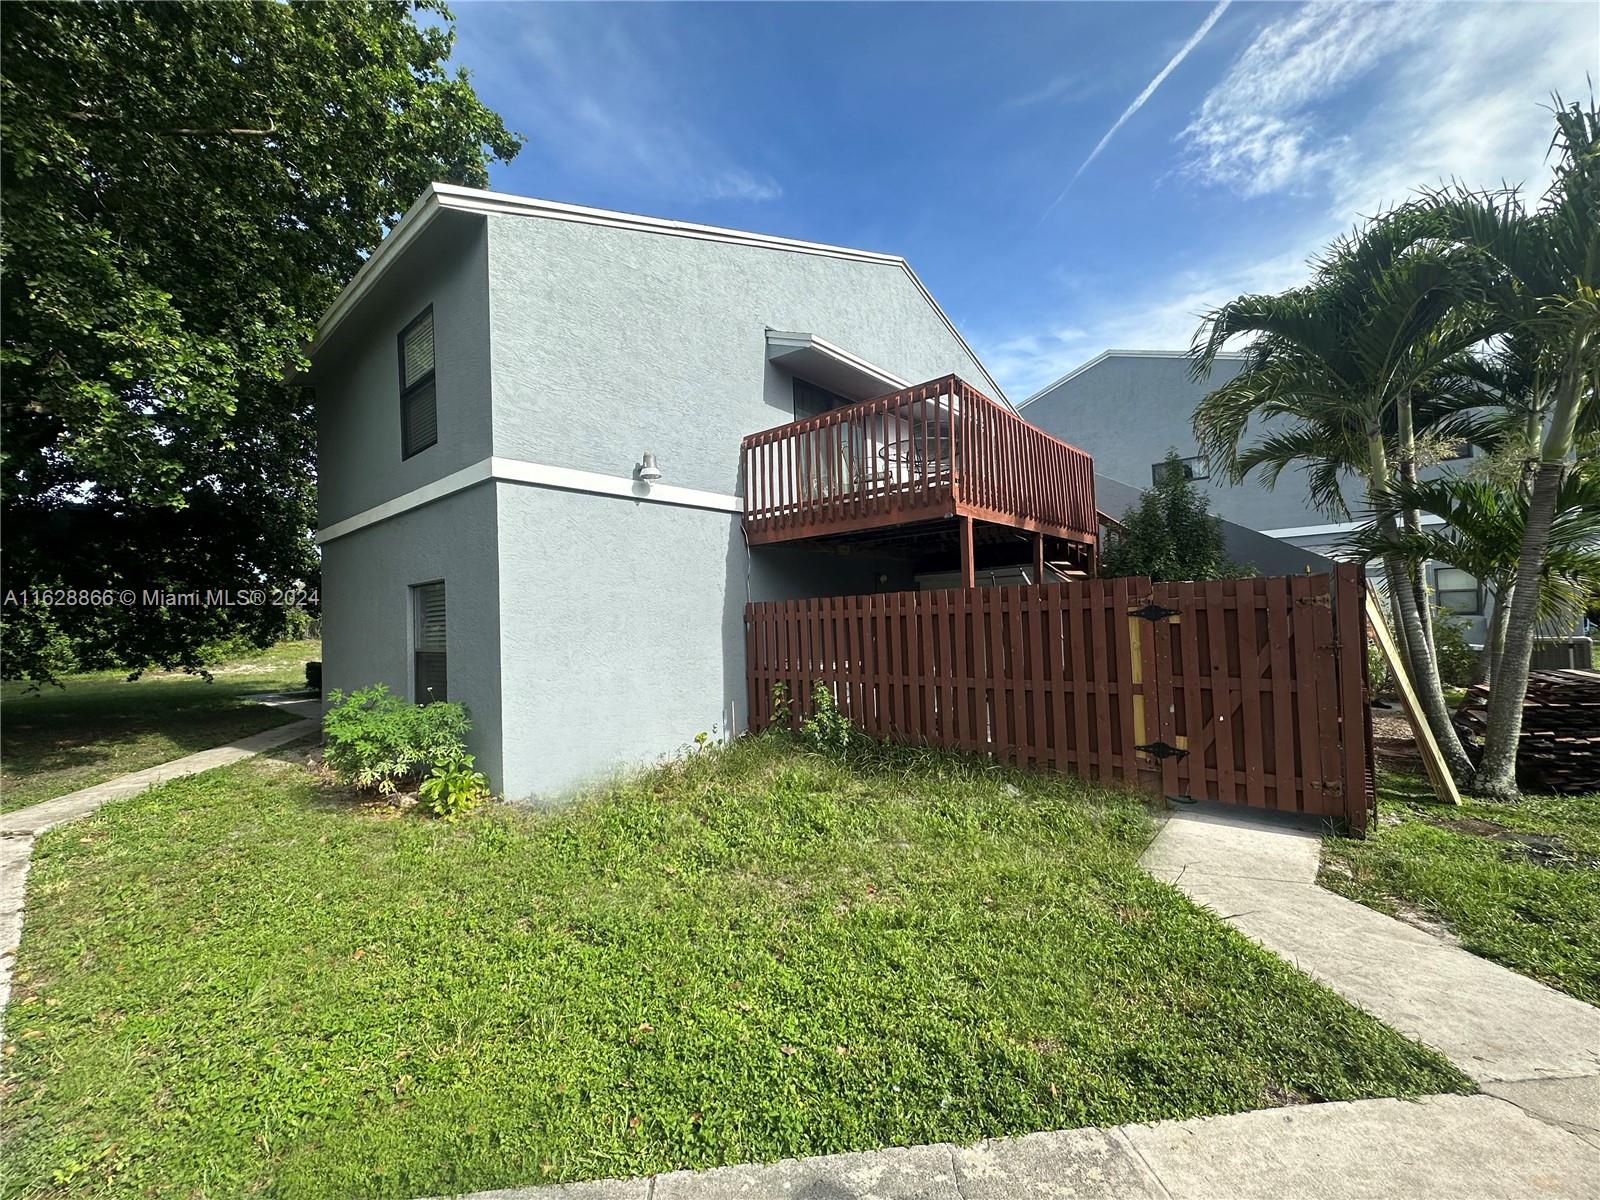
(1546, 271)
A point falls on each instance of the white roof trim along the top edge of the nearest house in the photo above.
(439, 198)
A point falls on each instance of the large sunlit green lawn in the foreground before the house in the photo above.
(242, 985)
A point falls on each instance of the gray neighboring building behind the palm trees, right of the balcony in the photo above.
(1129, 409)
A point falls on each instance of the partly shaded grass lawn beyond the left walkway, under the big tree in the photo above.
(100, 726)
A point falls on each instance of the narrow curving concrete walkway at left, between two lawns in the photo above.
(20, 828)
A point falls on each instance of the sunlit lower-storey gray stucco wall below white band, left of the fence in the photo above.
(623, 628)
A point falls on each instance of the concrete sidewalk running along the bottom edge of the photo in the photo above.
(1383, 1150)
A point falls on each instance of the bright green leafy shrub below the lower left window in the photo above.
(377, 742)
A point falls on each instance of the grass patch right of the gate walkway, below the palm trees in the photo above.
(1518, 884)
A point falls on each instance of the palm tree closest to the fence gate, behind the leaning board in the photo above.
(1345, 374)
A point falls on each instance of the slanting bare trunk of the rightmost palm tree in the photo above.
(1498, 770)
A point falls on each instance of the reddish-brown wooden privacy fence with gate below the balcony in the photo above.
(1250, 692)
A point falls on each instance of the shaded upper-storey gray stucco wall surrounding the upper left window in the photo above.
(358, 380)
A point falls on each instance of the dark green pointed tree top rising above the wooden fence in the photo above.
(1170, 534)
